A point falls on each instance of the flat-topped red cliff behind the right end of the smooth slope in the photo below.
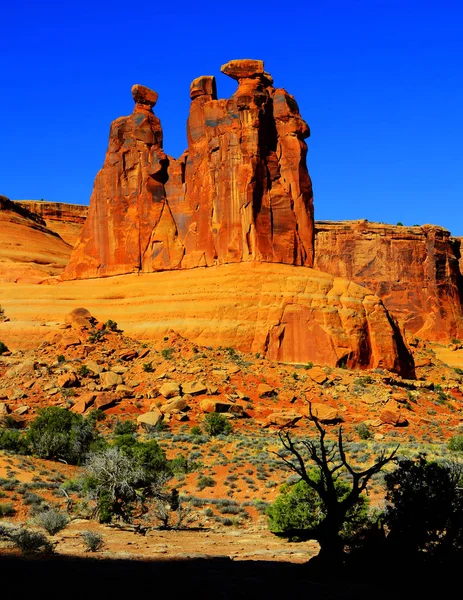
(414, 270)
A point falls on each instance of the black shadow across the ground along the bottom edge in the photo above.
(65, 578)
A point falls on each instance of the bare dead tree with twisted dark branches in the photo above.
(329, 459)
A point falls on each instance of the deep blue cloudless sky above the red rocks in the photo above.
(380, 83)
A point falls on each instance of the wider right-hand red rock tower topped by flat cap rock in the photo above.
(247, 194)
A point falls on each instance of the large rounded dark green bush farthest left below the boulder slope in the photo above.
(59, 434)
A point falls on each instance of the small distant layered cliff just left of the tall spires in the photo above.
(66, 220)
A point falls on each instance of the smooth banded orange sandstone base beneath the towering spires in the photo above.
(285, 313)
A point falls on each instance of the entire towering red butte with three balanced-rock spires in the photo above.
(241, 192)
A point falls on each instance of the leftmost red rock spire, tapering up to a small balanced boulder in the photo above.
(129, 225)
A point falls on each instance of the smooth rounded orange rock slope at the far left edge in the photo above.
(29, 251)
